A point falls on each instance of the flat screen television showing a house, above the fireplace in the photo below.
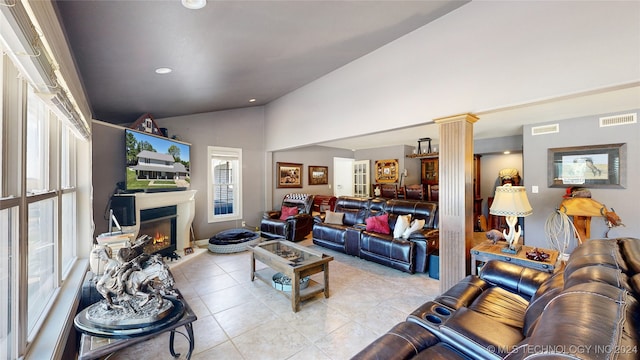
(156, 163)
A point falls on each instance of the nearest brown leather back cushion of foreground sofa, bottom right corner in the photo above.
(590, 314)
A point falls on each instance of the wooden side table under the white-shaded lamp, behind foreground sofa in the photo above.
(486, 251)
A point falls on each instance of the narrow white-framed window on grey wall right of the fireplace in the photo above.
(225, 180)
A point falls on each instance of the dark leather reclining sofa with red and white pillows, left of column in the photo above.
(351, 237)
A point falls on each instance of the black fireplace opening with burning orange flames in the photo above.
(160, 224)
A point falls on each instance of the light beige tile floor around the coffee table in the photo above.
(241, 319)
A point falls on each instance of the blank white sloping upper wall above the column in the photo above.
(485, 55)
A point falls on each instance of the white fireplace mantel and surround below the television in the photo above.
(184, 201)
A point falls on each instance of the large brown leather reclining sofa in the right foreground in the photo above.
(587, 310)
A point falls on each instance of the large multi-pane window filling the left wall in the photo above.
(38, 226)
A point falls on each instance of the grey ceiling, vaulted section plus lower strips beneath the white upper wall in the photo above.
(230, 52)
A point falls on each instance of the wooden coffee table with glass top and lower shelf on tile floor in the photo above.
(295, 262)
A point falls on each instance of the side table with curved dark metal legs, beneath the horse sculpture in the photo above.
(96, 347)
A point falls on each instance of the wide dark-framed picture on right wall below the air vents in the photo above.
(593, 166)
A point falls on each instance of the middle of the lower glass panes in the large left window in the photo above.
(40, 261)
